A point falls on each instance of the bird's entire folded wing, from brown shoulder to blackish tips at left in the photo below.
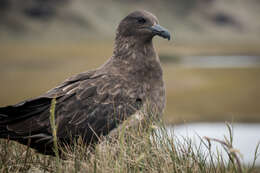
(87, 105)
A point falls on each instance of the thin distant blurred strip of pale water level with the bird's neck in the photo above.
(219, 61)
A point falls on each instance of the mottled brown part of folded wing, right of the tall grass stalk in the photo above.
(97, 105)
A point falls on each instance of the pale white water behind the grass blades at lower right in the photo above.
(246, 137)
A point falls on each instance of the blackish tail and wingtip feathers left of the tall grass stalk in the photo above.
(17, 122)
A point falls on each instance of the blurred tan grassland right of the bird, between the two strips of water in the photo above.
(212, 94)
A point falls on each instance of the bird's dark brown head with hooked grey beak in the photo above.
(142, 25)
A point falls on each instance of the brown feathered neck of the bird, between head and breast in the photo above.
(139, 58)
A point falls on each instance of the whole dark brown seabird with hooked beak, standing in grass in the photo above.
(95, 102)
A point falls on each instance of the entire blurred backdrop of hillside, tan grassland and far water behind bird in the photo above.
(211, 66)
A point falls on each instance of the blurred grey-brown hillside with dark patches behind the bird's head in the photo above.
(190, 20)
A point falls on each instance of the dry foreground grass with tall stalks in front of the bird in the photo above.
(147, 147)
